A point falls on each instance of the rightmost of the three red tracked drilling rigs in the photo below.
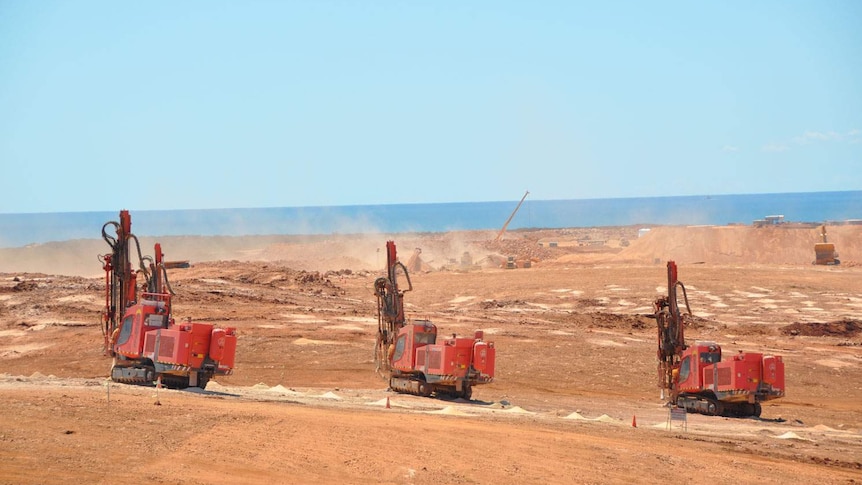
(696, 377)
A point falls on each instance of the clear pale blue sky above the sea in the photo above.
(229, 104)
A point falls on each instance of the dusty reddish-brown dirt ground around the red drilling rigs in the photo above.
(575, 366)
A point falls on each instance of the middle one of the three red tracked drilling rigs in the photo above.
(407, 352)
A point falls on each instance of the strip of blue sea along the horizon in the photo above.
(23, 229)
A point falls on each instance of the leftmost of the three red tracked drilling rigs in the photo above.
(140, 333)
